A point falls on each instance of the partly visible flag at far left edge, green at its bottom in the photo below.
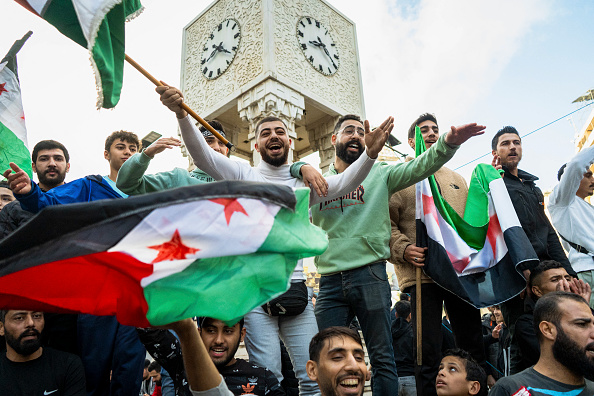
(13, 133)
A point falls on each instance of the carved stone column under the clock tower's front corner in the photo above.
(271, 98)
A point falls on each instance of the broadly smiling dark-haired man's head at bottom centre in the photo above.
(337, 362)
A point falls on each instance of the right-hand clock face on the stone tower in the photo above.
(317, 45)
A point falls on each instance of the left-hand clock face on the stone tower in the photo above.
(220, 48)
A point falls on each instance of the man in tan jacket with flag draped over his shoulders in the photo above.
(406, 256)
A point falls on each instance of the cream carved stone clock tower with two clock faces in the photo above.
(243, 61)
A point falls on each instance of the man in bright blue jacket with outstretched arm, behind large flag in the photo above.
(104, 345)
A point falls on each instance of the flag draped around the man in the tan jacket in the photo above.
(474, 257)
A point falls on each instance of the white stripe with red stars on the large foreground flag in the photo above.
(201, 225)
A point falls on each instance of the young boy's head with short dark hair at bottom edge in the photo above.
(460, 375)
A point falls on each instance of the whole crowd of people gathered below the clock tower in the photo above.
(540, 342)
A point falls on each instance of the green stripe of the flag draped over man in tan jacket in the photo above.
(473, 227)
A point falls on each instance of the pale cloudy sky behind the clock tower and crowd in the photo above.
(495, 63)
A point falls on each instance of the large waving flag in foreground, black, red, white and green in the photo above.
(218, 250)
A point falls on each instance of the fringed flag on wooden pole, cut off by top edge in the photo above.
(98, 26)
